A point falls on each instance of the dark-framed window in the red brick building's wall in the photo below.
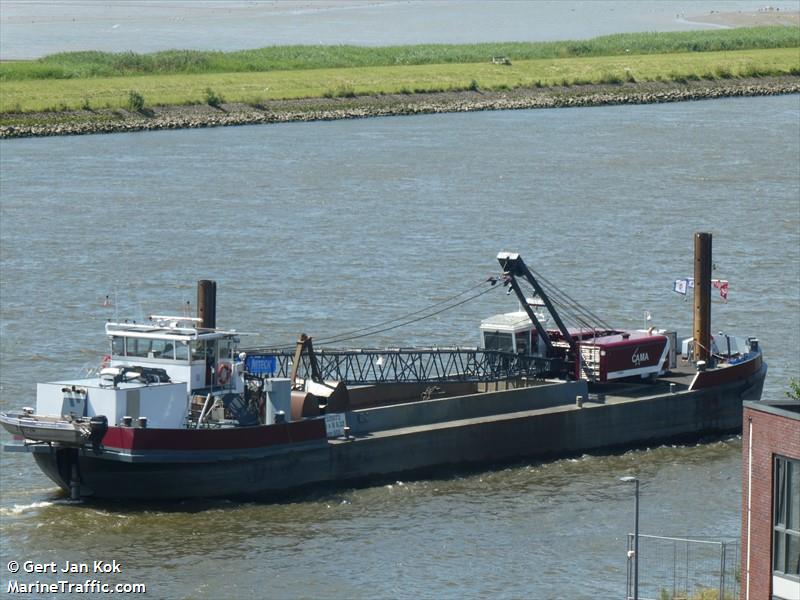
(786, 541)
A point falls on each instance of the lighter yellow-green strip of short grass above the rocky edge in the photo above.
(31, 95)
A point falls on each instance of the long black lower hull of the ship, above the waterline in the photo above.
(610, 423)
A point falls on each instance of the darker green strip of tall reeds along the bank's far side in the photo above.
(81, 65)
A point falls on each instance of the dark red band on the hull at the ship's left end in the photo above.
(129, 438)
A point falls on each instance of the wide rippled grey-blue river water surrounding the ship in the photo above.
(324, 227)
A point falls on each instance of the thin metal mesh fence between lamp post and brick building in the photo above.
(684, 569)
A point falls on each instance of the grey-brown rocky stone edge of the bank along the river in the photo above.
(182, 117)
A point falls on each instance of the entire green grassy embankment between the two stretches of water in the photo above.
(104, 89)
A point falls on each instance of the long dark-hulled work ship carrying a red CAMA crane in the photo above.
(179, 409)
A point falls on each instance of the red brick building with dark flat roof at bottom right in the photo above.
(770, 547)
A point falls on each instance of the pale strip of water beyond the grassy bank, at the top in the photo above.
(29, 29)
